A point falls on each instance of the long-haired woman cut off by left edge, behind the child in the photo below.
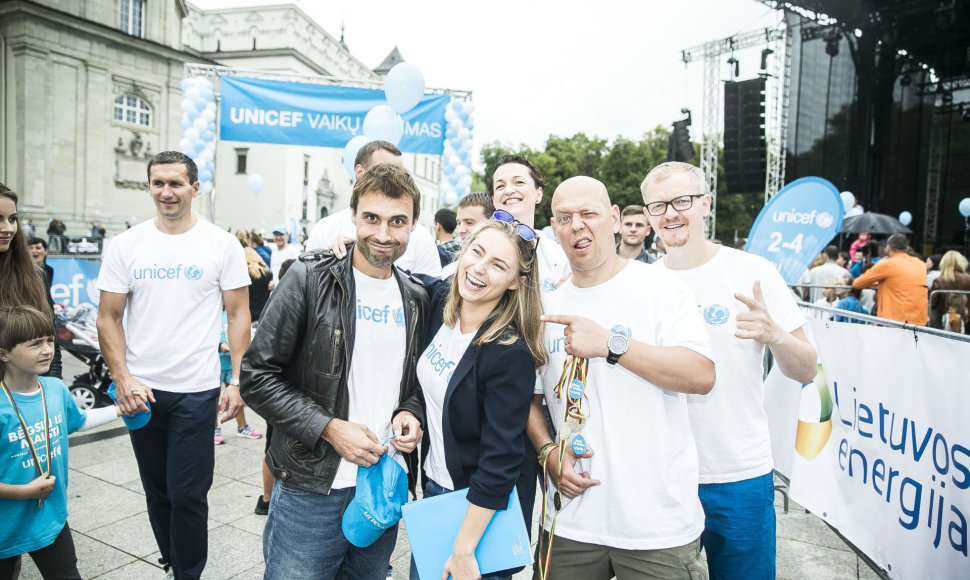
(22, 282)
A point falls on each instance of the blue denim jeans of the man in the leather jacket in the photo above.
(303, 538)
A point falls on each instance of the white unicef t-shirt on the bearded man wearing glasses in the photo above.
(730, 426)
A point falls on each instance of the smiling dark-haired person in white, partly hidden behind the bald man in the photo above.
(516, 187)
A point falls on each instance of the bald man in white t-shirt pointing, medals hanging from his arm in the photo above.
(634, 510)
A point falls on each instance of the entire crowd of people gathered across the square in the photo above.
(621, 386)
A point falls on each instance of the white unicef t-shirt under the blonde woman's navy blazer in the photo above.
(435, 368)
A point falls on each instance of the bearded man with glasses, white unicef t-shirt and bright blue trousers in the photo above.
(746, 306)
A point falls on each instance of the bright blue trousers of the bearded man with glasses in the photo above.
(739, 528)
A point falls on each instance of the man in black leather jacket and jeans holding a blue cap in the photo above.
(332, 367)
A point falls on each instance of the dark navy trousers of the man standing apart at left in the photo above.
(176, 456)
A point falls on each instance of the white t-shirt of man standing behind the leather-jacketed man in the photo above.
(420, 257)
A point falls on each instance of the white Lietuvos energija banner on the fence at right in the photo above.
(879, 445)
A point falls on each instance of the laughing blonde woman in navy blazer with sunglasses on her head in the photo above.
(477, 373)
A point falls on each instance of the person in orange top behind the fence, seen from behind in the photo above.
(901, 280)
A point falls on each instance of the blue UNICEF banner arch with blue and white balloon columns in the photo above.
(323, 111)
